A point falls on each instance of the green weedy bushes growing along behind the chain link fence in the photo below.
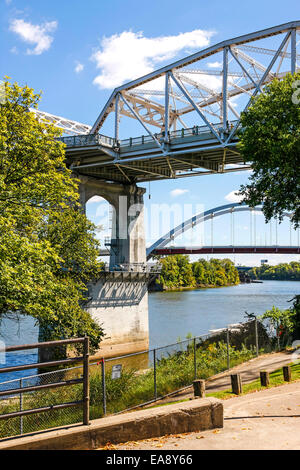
(172, 373)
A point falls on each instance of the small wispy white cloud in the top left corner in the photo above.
(37, 35)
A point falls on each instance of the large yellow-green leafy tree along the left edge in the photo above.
(48, 251)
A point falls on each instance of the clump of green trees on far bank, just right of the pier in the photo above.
(177, 272)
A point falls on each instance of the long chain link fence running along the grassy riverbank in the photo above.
(134, 380)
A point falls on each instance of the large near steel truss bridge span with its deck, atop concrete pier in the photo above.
(189, 112)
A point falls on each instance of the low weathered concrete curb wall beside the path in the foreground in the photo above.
(195, 415)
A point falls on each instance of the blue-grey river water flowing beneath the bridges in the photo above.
(173, 315)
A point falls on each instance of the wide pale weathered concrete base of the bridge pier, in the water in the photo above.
(121, 308)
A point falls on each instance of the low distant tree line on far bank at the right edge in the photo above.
(281, 272)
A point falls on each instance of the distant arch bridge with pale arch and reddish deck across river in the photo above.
(160, 246)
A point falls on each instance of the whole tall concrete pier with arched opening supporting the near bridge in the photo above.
(119, 299)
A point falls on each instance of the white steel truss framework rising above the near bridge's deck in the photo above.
(185, 89)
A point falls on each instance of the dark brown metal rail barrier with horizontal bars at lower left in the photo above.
(10, 392)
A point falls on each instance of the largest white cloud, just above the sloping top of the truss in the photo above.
(128, 55)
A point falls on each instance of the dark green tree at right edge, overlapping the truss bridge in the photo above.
(270, 140)
